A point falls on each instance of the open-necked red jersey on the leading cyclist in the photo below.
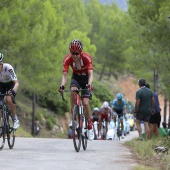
(85, 62)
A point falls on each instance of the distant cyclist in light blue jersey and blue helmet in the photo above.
(119, 107)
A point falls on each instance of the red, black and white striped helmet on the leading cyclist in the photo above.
(76, 46)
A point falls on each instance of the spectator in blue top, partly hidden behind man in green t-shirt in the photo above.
(155, 119)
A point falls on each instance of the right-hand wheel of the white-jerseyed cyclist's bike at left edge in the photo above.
(10, 136)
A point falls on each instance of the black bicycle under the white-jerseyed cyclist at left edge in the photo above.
(5, 128)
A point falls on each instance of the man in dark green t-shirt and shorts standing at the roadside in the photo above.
(144, 107)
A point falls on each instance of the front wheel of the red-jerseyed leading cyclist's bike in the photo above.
(76, 128)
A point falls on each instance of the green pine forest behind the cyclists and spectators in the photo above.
(35, 34)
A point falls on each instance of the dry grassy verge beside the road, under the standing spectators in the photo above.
(145, 155)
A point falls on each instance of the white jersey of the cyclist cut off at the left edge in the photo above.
(7, 74)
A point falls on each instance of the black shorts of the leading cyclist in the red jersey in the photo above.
(81, 82)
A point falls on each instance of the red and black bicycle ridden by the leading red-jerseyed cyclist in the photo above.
(79, 121)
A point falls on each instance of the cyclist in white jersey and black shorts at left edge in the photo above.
(10, 84)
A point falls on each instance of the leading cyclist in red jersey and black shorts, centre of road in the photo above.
(82, 77)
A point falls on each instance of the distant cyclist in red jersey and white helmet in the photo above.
(105, 113)
